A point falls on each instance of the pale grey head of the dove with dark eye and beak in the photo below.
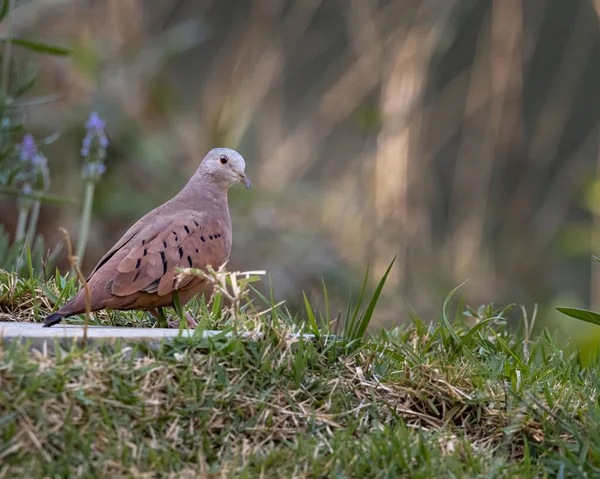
(225, 167)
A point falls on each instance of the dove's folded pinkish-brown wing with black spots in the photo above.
(181, 240)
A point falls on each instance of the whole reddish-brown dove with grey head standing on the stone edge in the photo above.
(193, 229)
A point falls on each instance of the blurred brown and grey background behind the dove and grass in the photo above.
(460, 135)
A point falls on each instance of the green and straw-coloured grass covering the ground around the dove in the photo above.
(467, 396)
